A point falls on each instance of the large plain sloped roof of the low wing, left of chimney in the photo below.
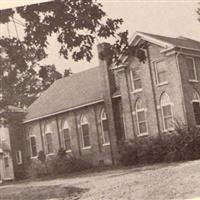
(76, 90)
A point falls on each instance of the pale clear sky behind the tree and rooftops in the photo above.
(170, 18)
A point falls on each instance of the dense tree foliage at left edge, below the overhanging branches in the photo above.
(20, 80)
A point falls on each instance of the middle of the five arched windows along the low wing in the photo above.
(66, 136)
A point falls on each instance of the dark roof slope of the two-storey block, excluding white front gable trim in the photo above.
(178, 41)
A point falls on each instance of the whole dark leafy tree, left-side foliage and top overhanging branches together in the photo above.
(77, 23)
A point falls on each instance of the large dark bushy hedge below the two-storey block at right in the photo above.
(181, 145)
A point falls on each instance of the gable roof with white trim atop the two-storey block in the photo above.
(182, 42)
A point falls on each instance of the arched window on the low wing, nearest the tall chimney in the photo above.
(104, 127)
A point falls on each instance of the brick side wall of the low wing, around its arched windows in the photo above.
(98, 152)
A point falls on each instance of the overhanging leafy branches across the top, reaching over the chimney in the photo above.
(77, 25)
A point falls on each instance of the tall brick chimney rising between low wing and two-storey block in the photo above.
(108, 85)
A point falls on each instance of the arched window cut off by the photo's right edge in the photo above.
(196, 107)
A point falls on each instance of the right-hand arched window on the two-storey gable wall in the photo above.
(166, 109)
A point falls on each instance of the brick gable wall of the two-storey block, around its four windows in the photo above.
(151, 92)
